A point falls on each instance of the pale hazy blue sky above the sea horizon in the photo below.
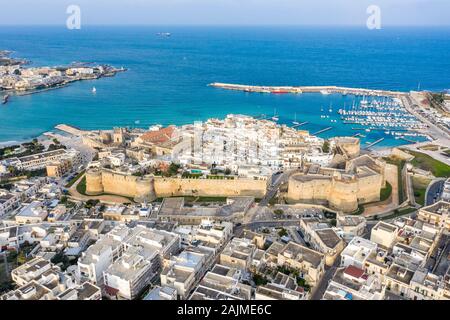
(226, 12)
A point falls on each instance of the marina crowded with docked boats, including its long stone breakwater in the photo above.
(379, 115)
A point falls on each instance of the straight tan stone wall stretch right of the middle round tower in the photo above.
(169, 187)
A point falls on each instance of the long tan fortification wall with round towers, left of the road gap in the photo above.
(106, 181)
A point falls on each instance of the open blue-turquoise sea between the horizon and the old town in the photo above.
(167, 78)
